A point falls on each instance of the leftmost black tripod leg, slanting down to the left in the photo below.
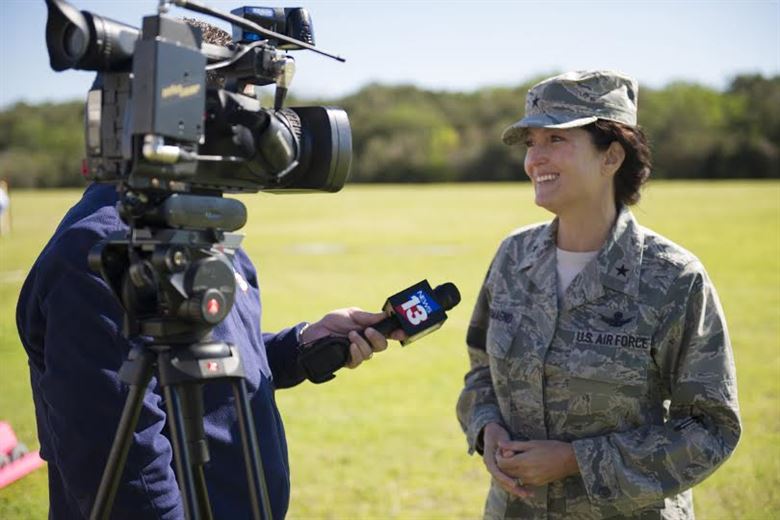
(140, 364)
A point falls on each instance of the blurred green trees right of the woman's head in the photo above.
(700, 133)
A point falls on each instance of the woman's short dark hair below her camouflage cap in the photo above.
(635, 170)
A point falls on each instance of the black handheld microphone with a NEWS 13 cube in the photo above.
(417, 310)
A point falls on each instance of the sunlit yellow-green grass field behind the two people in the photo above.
(382, 441)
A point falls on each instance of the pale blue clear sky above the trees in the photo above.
(453, 45)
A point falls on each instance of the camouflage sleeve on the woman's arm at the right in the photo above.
(632, 469)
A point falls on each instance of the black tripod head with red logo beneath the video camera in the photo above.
(172, 269)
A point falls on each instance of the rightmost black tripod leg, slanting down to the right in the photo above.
(254, 465)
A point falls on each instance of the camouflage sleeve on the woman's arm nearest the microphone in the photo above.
(477, 404)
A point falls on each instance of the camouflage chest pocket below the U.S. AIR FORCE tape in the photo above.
(606, 387)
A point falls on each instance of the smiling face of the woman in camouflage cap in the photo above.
(571, 177)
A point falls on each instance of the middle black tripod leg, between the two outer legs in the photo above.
(181, 454)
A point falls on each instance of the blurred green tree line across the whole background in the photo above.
(409, 134)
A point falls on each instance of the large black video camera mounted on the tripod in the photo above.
(171, 113)
